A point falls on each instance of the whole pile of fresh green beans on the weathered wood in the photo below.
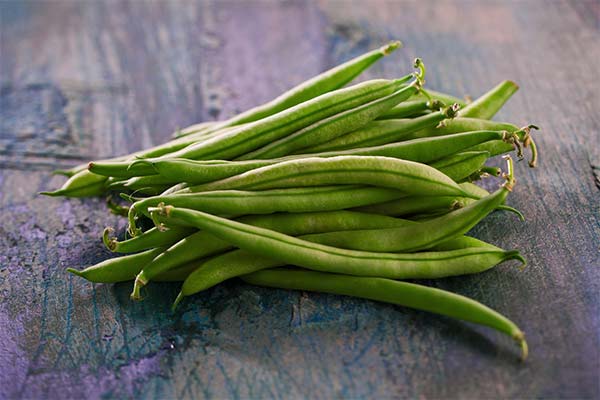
(349, 190)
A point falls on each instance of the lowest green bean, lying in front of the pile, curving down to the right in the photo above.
(389, 291)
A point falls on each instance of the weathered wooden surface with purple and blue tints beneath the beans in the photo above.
(85, 80)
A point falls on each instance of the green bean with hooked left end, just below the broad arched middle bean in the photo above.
(238, 202)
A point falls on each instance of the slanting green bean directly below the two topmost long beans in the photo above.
(332, 127)
